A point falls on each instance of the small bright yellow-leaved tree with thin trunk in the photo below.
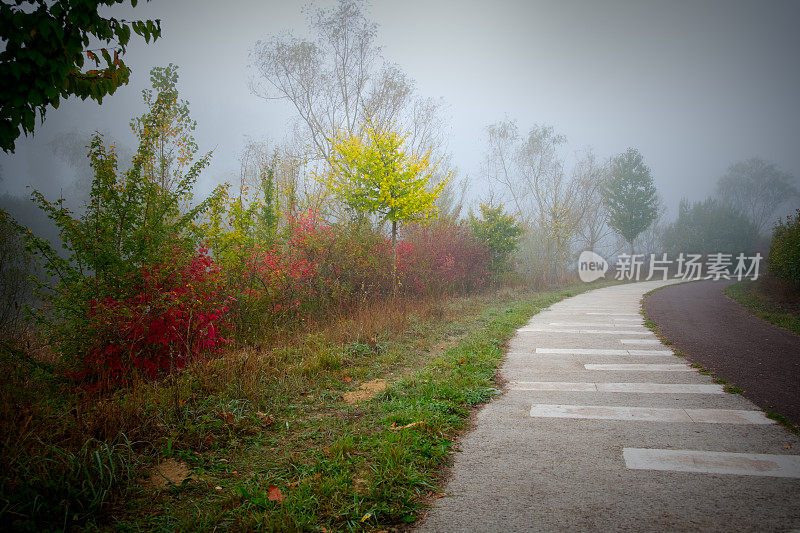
(375, 174)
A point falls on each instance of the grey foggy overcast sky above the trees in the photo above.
(694, 85)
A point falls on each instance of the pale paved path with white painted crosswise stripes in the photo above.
(596, 432)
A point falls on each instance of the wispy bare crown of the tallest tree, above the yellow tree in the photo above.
(338, 82)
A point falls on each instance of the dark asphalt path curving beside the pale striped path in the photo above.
(713, 330)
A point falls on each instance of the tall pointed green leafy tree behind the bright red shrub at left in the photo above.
(136, 221)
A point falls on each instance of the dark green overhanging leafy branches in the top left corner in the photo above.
(45, 44)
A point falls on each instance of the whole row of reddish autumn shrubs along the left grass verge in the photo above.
(176, 311)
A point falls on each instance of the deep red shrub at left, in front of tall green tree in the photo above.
(173, 318)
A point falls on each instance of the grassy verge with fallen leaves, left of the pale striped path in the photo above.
(269, 440)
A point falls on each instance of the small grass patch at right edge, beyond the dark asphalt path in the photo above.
(768, 302)
